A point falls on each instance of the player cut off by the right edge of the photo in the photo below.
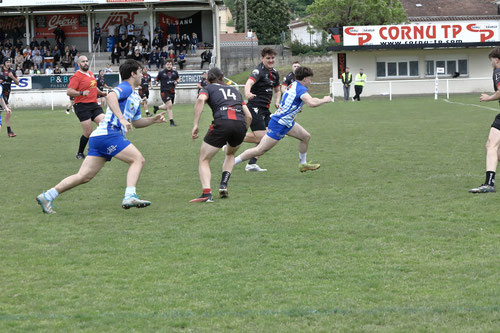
(493, 142)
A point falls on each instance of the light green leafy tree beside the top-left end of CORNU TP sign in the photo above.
(325, 14)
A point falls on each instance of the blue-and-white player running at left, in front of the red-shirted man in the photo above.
(108, 140)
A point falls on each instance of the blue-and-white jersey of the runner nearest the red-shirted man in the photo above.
(130, 105)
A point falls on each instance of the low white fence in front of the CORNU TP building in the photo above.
(391, 89)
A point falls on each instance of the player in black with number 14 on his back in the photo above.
(231, 120)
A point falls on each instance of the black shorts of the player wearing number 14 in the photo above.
(225, 131)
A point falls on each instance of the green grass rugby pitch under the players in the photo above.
(383, 238)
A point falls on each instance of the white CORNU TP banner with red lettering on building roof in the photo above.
(460, 32)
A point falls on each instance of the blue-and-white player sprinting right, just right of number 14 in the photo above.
(283, 120)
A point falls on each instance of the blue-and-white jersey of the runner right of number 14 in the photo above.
(291, 104)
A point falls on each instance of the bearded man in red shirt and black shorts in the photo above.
(83, 87)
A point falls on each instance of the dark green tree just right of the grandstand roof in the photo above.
(266, 18)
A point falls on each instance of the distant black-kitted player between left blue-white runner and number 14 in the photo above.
(168, 79)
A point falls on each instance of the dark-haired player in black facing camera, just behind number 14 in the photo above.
(259, 92)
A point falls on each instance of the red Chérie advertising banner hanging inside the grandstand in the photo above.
(73, 25)
